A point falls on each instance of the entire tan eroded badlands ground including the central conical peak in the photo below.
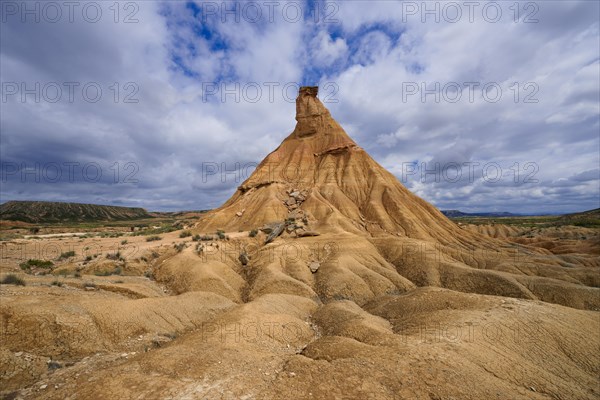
(322, 277)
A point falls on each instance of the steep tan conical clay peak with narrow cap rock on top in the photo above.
(346, 189)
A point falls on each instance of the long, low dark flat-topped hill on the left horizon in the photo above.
(45, 211)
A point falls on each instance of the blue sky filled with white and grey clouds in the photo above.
(477, 106)
